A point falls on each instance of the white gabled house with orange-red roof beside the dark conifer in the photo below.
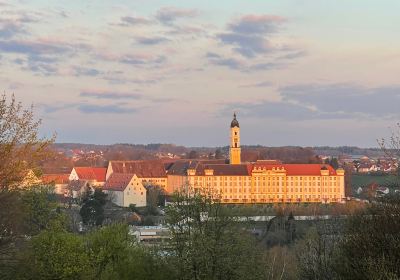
(125, 189)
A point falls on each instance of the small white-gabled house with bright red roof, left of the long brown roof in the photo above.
(95, 176)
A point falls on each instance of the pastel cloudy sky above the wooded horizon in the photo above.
(297, 72)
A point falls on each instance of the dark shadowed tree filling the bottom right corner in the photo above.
(370, 248)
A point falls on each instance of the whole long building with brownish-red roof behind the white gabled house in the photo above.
(150, 172)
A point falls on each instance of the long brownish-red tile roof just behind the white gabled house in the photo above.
(142, 168)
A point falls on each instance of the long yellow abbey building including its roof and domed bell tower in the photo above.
(263, 181)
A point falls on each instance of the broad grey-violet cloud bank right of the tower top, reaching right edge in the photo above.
(323, 102)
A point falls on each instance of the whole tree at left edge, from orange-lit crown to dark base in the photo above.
(20, 149)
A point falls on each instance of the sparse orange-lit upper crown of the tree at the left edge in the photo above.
(21, 148)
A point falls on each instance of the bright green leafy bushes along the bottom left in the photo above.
(106, 253)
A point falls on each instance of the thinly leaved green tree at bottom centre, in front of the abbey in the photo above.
(207, 243)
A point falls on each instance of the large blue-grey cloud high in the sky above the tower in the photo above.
(249, 35)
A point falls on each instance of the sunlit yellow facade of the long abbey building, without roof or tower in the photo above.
(272, 186)
